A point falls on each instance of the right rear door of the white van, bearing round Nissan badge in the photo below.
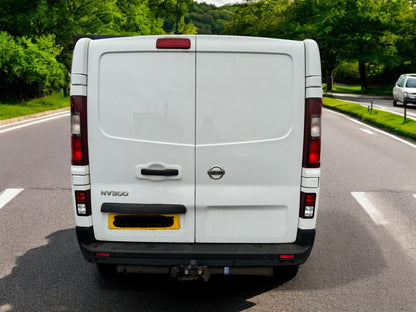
(249, 124)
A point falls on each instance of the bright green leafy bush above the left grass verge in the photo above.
(28, 67)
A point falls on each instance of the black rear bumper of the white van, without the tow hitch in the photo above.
(172, 254)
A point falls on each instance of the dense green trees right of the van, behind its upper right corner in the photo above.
(370, 32)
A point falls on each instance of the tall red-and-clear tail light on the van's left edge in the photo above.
(79, 140)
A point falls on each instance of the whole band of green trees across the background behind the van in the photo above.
(36, 35)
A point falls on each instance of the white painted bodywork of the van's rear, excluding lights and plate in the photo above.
(234, 102)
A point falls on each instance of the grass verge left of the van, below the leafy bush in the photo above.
(50, 102)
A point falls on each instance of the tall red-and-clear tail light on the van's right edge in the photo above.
(312, 133)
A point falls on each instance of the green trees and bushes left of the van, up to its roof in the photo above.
(51, 25)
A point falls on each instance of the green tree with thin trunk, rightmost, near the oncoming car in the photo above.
(371, 32)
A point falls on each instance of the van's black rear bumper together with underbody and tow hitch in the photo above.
(196, 261)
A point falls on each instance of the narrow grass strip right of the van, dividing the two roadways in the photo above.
(381, 119)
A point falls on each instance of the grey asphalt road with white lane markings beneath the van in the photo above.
(364, 256)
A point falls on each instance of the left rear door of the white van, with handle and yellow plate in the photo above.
(141, 129)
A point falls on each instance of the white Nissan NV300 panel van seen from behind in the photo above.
(196, 155)
